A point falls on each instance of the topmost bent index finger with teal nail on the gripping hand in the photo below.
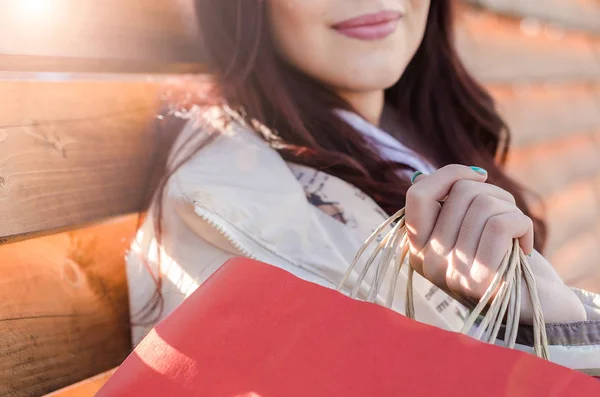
(422, 200)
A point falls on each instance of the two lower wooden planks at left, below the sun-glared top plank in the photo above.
(76, 157)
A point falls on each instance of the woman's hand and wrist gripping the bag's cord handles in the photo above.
(459, 245)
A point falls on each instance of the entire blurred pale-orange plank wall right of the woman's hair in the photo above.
(541, 60)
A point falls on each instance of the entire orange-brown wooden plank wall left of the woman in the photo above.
(80, 150)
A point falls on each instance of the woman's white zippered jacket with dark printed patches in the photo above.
(237, 196)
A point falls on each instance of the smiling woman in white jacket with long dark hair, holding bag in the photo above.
(320, 111)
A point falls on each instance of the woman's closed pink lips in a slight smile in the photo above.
(370, 26)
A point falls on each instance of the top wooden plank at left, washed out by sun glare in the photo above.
(96, 35)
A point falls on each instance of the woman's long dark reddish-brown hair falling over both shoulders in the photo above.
(446, 115)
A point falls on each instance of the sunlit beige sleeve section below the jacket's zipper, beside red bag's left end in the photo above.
(161, 276)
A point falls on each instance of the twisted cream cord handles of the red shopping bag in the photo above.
(501, 300)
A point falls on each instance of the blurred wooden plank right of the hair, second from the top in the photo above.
(499, 49)
